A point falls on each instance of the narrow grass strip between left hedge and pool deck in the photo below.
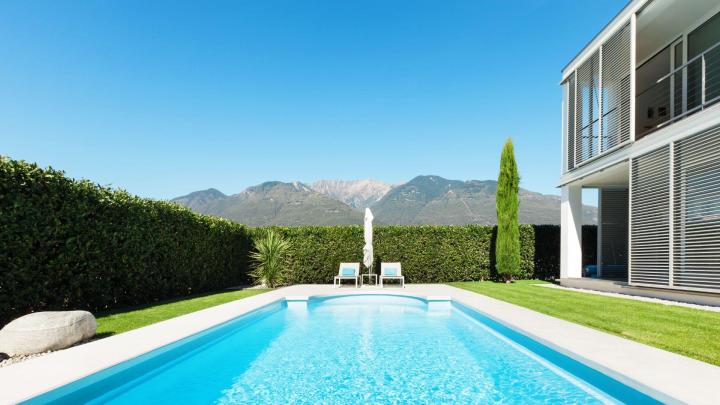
(133, 318)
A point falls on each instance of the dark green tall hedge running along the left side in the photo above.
(67, 244)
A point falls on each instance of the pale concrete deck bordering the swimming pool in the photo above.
(669, 377)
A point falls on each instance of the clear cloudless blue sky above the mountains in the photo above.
(166, 97)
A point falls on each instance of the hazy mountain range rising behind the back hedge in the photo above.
(422, 200)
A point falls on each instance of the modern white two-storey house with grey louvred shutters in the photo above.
(641, 124)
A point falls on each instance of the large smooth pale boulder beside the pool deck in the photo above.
(42, 331)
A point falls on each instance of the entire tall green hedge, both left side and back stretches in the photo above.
(67, 244)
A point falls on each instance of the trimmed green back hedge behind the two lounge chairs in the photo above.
(429, 254)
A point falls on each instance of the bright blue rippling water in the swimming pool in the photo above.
(351, 349)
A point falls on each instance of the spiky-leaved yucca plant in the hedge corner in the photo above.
(269, 259)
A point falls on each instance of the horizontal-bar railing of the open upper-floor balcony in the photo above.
(684, 91)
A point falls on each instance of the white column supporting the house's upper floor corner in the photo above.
(571, 232)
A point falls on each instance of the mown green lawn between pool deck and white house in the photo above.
(690, 332)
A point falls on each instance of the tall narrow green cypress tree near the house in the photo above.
(507, 246)
